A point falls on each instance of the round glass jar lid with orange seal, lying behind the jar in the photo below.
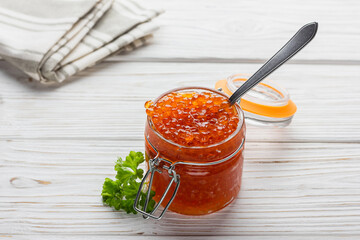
(266, 103)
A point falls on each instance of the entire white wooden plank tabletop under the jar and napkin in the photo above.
(58, 144)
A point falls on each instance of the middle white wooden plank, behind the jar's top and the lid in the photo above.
(106, 101)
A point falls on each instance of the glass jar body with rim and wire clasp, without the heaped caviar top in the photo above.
(210, 175)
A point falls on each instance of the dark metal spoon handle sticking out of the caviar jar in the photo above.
(294, 45)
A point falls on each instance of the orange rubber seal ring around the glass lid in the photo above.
(285, 111)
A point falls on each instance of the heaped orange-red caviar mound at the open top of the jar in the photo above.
(191, 118)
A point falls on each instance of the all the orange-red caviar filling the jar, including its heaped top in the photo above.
(196, 125)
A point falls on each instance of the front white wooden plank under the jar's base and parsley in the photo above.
(289, 189)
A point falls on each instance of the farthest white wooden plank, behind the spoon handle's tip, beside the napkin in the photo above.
(238, 31)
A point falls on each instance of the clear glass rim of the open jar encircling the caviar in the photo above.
(231, 136)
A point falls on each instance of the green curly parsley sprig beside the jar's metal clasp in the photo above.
(121, 193)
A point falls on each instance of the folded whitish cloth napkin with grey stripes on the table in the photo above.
(51, 40)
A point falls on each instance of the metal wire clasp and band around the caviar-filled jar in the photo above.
(154, 166)
